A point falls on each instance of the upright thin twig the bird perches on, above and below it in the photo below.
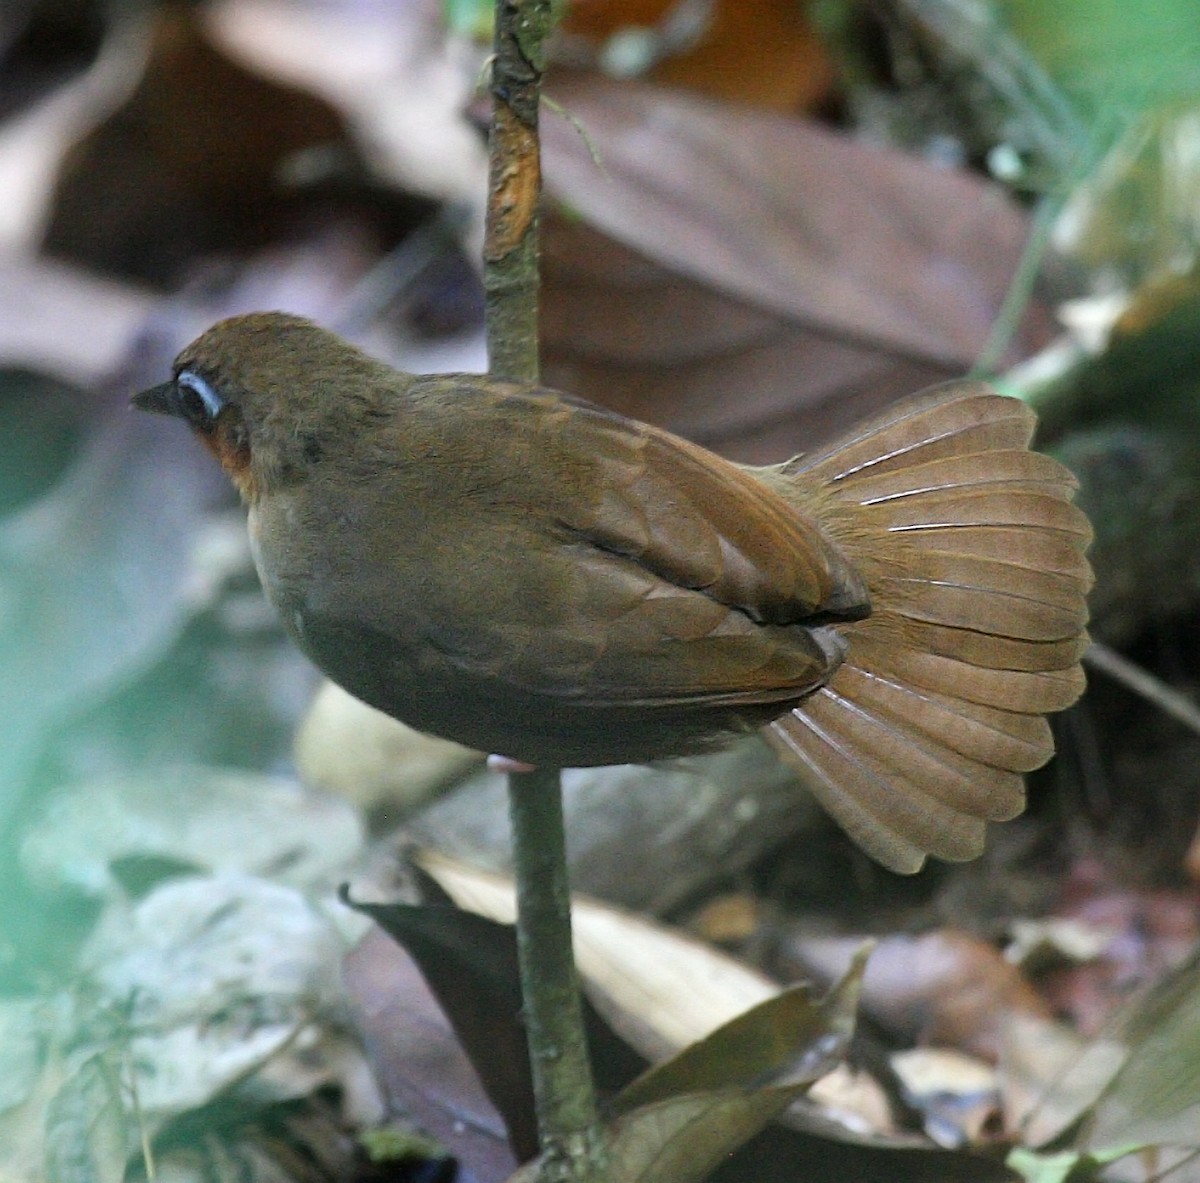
(573, 1149)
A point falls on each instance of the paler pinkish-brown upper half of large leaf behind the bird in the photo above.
(848, 237)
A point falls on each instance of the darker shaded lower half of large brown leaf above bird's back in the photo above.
(652, 344)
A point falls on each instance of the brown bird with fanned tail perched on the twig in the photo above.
(531, 574)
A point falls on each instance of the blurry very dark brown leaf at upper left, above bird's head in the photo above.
(194, 161)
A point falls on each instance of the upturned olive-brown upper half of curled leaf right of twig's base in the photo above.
(787, 1037)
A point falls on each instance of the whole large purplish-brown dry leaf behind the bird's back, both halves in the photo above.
(775, 281)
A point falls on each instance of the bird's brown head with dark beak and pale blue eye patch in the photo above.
(269, 395)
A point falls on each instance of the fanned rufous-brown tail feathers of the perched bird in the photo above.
(975, 559)
